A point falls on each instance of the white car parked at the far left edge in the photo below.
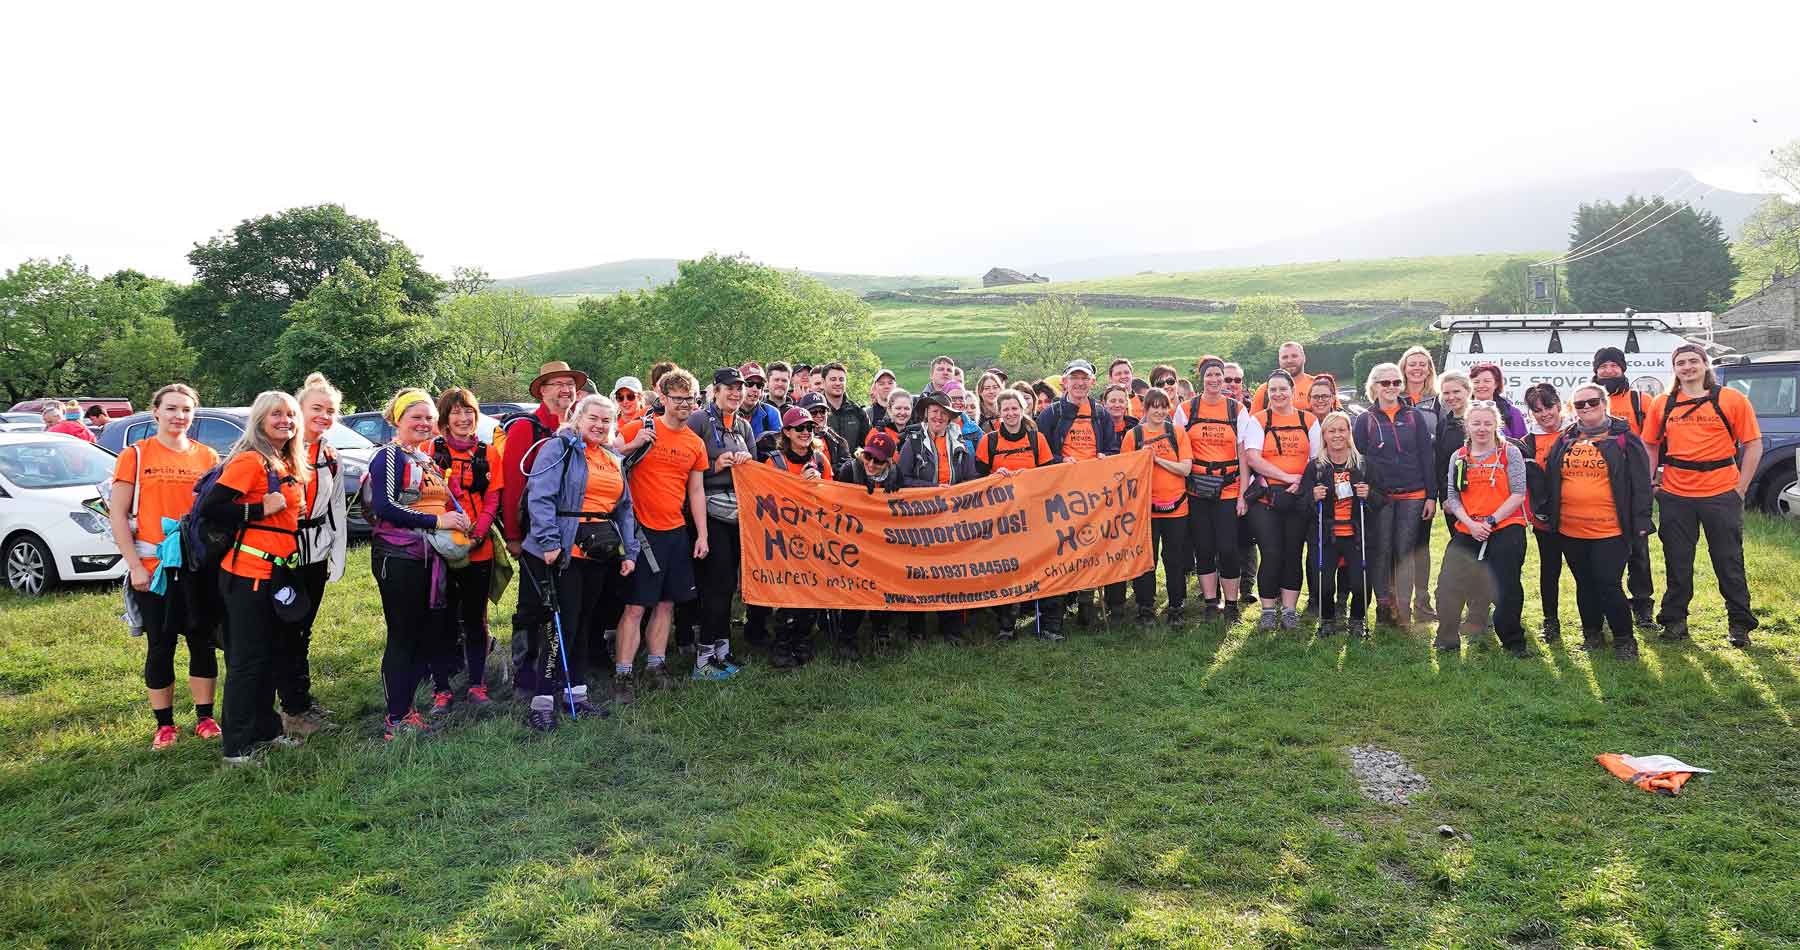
(53, 524)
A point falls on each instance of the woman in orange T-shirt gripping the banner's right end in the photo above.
(1169, 506)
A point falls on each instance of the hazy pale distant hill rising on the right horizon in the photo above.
(1522, 217)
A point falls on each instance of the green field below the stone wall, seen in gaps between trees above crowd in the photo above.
(910, 336)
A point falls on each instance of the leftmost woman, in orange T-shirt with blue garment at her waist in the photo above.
(154, 481)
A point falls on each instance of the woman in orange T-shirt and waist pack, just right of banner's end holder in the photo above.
(1216, 499)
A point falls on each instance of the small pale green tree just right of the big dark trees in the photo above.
(498, 339)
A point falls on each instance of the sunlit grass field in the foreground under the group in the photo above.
(1135, 787)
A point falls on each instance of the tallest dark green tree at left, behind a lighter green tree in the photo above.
(247, 280)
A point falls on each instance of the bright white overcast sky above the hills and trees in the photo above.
(919, 138)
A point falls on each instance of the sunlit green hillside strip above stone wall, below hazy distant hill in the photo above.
(1372, 280)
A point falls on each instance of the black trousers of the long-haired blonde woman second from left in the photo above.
(255, 649)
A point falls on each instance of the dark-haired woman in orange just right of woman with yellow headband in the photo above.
(476, 474)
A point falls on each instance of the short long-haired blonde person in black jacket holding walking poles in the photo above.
(1342, 496)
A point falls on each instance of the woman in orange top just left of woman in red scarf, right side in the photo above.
(1486, 494)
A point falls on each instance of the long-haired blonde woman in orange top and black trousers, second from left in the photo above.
(258, 496)
